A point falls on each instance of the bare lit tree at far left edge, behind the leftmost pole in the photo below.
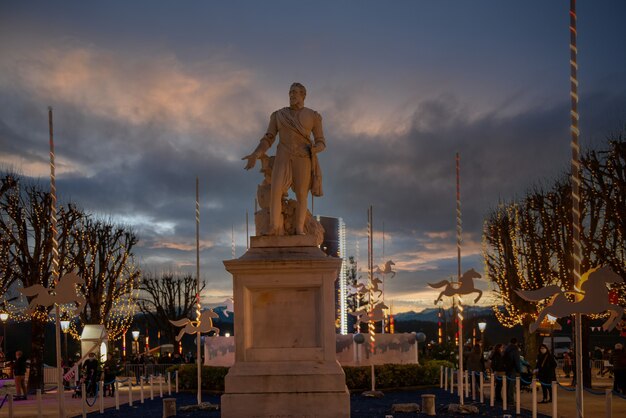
(26, 255)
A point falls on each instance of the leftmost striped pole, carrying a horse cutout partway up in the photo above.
(55, 266)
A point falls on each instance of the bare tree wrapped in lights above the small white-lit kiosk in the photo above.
(104, 259)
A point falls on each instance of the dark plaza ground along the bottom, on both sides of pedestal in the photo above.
(361, 407)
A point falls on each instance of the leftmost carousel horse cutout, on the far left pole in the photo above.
(64, 292)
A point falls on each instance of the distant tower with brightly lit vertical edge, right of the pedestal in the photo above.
(334, 245)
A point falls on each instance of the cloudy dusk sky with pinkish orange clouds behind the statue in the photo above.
(147, 95)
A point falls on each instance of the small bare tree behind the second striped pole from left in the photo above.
(168, 297)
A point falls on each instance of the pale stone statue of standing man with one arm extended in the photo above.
(296, 164)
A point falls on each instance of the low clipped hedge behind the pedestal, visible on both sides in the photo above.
(388, 376)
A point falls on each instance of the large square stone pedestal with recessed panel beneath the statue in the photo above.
(285, 361)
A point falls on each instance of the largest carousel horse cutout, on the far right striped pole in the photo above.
(595, 298)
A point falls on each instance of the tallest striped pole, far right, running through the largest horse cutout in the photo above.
(575, 165)
